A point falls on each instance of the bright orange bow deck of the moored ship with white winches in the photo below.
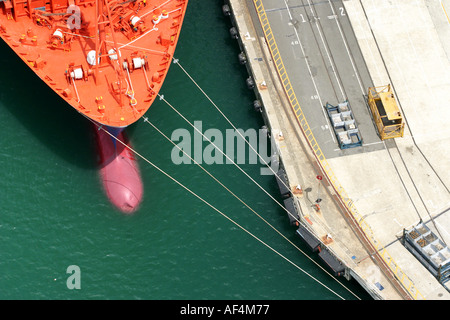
(56, 41)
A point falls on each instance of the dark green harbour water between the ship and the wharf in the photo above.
(53, 212)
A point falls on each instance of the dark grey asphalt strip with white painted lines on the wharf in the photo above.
(325, 65)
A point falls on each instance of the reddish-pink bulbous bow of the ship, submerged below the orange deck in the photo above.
(119, 171)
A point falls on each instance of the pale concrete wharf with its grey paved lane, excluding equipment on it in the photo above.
(302, 54)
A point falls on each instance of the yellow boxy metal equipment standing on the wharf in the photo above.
(385, 112)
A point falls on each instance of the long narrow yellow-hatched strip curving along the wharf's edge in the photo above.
(326, 168)
